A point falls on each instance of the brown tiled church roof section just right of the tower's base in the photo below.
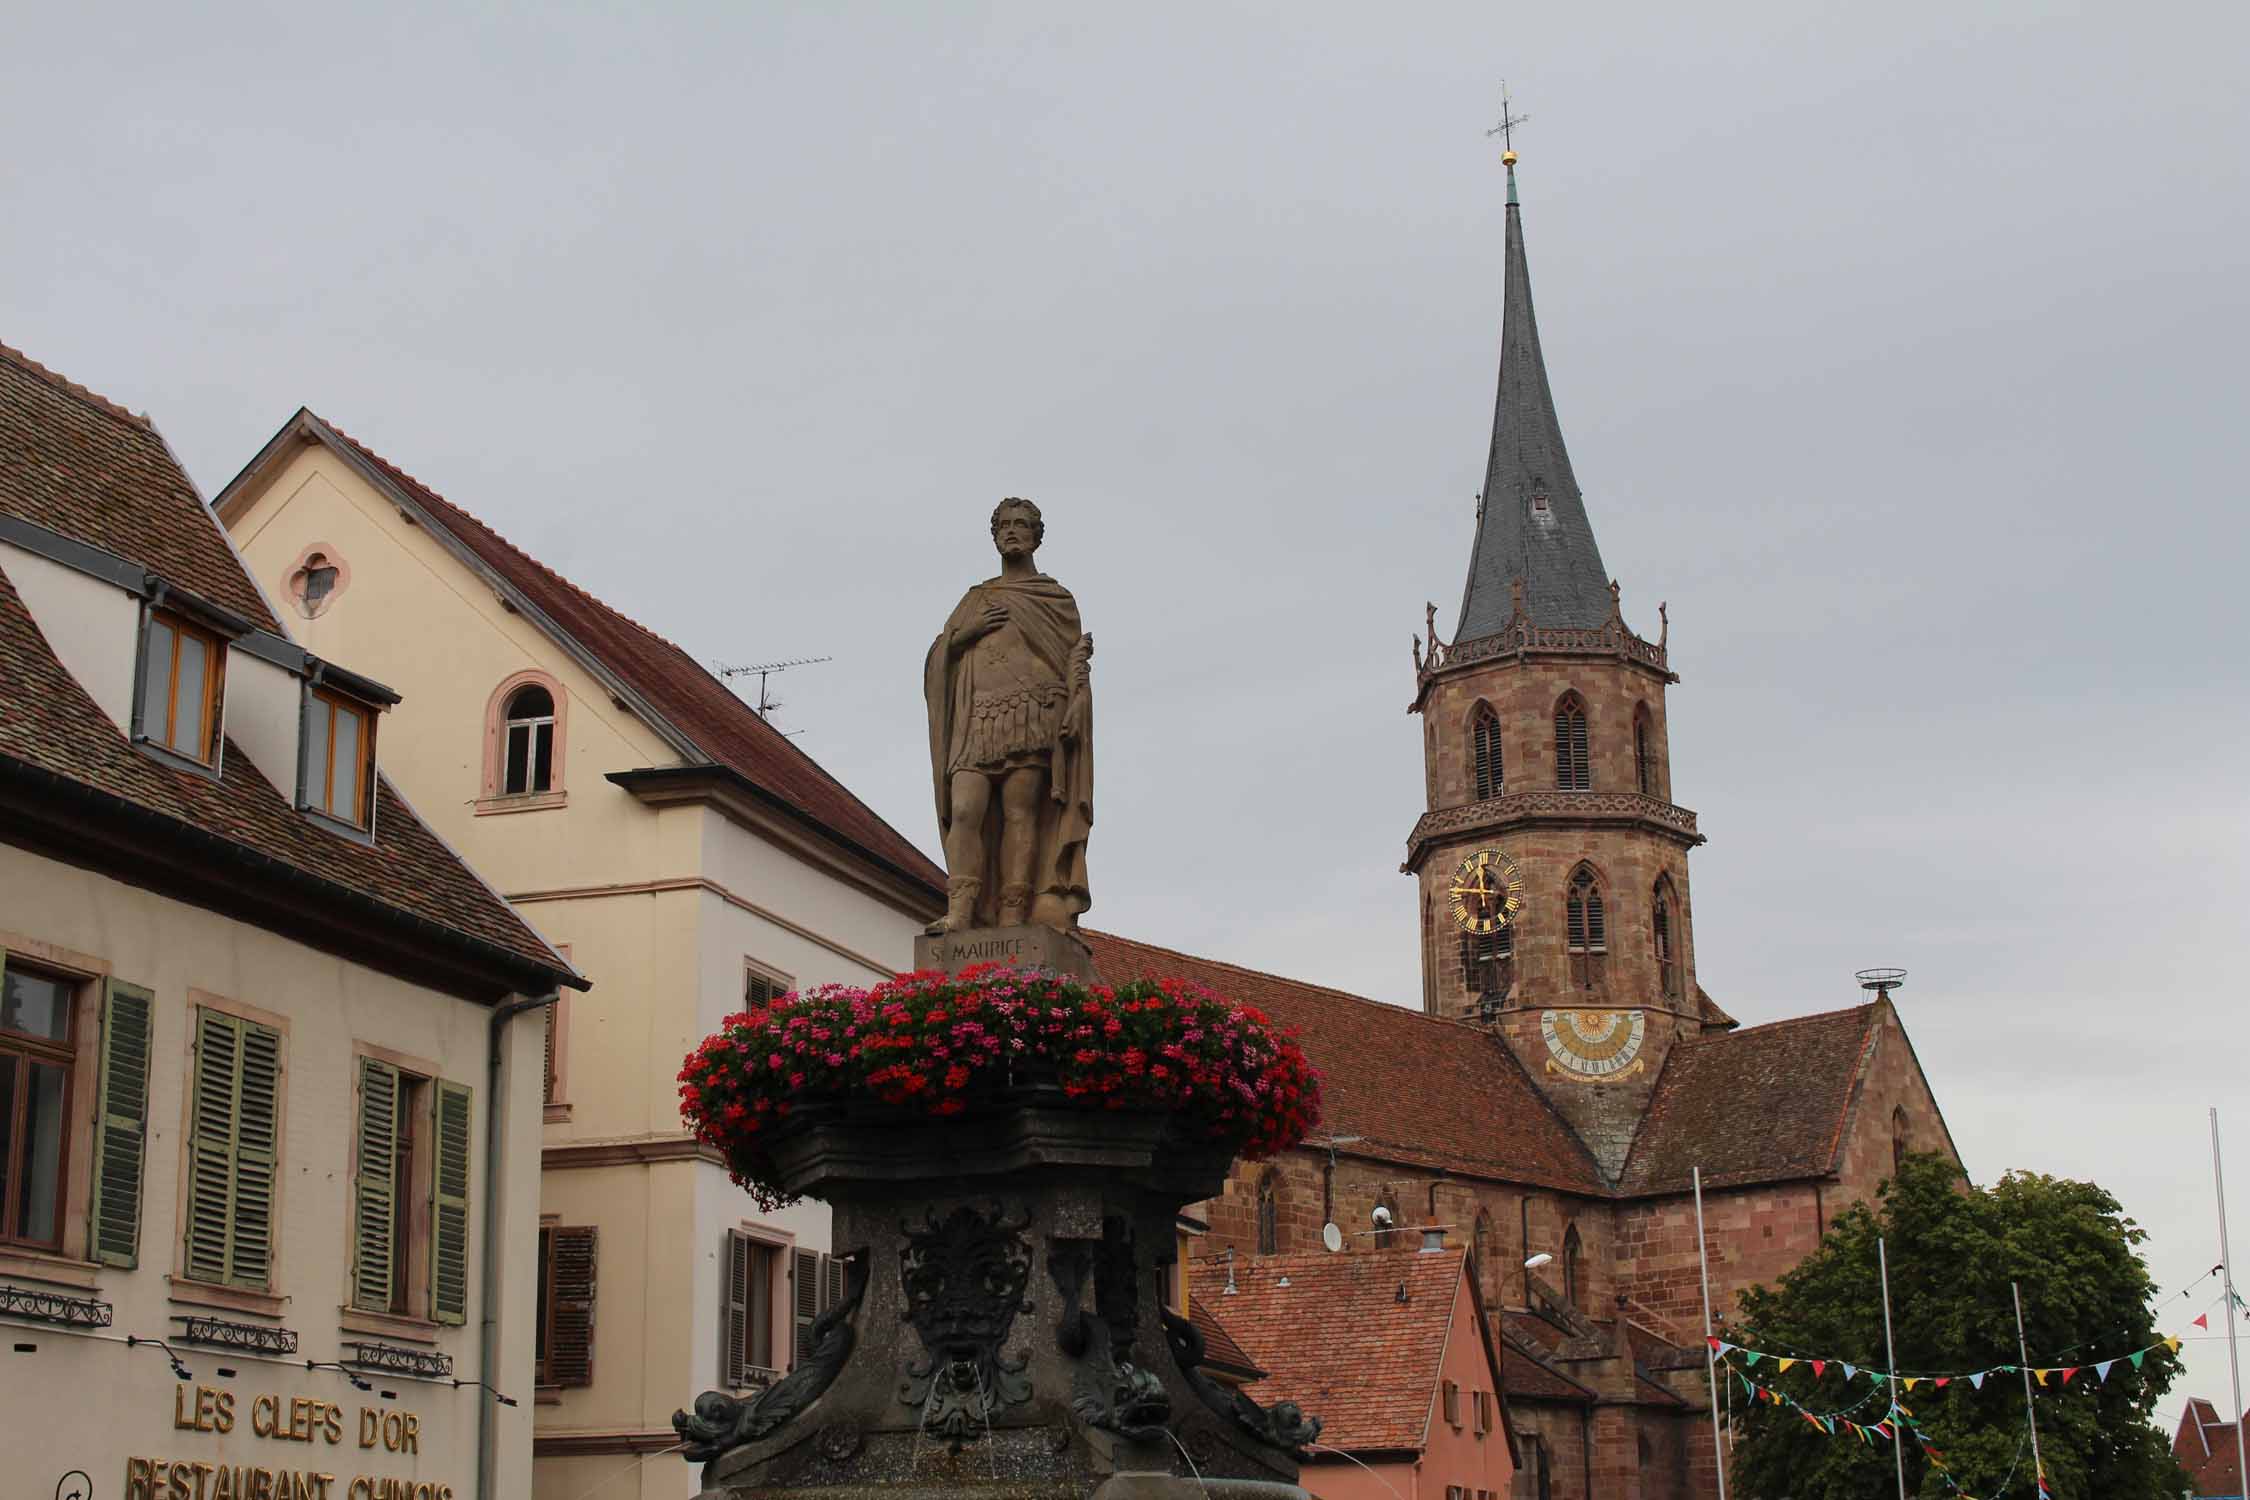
(1761, 1105)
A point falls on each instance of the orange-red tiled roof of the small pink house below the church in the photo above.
(1338, 1339)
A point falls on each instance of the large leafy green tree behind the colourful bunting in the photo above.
(1954, 1249)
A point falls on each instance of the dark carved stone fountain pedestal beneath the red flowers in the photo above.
(1009, 1328)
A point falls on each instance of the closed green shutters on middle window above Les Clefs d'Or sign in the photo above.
(233, 1153)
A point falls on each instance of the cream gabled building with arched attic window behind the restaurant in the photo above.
(681, 851)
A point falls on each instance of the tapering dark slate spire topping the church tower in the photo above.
(1533, 523)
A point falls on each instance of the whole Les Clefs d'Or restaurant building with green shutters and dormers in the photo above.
(269, 1049)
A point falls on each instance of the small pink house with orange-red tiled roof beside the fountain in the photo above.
(1392, 1350)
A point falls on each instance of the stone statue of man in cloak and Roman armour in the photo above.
(1011, 741)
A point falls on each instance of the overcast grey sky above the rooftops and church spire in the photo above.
(1898, 347)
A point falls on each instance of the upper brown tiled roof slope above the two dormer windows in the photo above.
(84, 467)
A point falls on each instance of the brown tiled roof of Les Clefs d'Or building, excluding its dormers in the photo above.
(145, 507)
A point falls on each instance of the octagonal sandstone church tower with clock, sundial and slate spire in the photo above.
(1551, 860)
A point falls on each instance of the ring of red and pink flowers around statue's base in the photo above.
(935, 1047)
